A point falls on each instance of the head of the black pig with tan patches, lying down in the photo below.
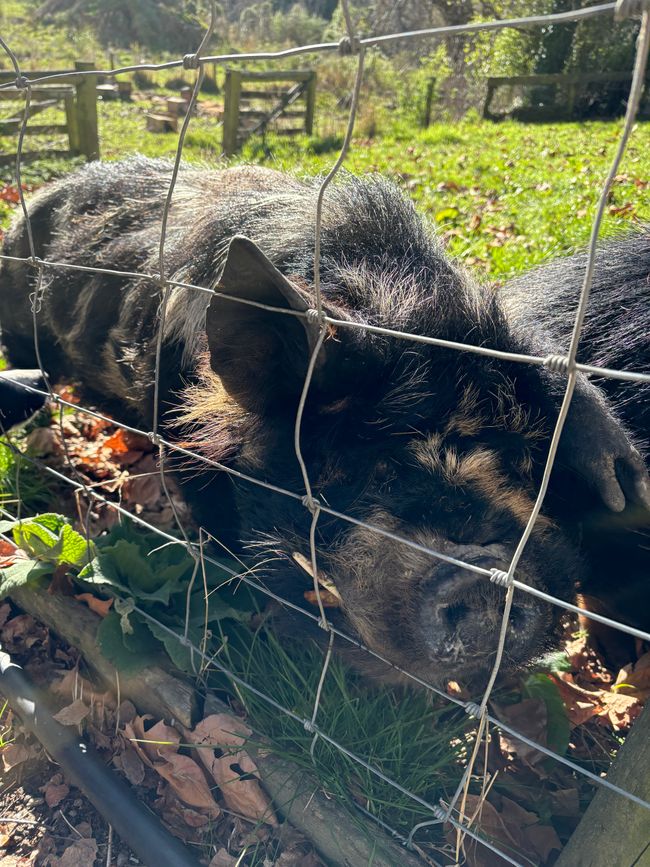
(440, 447)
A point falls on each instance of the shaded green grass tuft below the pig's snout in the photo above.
(402, 733)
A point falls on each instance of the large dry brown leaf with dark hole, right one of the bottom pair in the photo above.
(231, 767)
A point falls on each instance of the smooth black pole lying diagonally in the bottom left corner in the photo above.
(81, 764)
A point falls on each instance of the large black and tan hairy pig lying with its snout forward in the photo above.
(442, 447)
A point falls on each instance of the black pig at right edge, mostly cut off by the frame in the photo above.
(616, 335)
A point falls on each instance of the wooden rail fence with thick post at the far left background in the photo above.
(79, 97)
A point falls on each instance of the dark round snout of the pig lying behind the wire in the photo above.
(462, 612)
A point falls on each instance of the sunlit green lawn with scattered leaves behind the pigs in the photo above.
(505, 196)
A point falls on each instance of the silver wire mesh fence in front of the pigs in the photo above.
(454, 811)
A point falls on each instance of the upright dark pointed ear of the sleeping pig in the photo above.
(260, 355)
